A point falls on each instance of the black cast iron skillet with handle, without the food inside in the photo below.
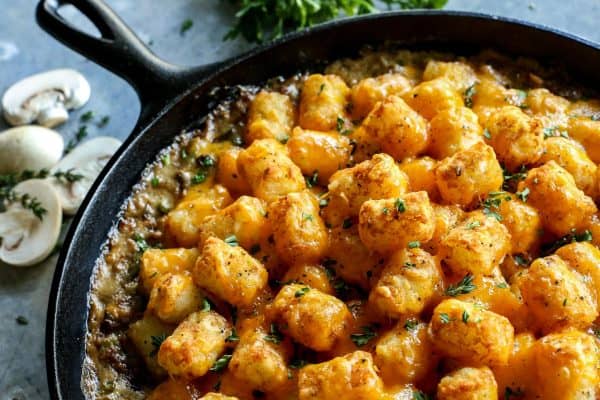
(174, 97)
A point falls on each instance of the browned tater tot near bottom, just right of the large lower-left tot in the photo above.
(260, 361)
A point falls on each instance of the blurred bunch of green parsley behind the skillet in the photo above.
(259, 20)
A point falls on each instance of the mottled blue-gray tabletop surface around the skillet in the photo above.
(26, 49)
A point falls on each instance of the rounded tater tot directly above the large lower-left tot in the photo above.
(174, 297)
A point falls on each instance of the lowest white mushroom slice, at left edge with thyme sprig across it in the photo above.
(26, 239)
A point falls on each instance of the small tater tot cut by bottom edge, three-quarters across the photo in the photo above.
(468, 384)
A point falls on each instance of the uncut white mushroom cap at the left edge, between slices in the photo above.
(29, 147)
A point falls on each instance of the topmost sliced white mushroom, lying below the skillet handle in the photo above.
(45, 97)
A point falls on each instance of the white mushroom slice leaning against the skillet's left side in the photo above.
(86, 160)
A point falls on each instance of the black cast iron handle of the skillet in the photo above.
(119, 50)
